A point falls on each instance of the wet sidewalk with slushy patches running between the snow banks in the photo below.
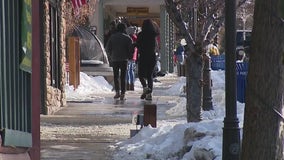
(89, 131)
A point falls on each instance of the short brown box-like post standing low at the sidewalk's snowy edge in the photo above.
(150, 115)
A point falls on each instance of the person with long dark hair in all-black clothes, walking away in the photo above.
(147, 46)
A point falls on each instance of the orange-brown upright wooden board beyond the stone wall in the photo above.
(74, 61)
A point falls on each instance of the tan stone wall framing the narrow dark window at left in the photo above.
(55, 98)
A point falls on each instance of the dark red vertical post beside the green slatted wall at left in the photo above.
(37, 48)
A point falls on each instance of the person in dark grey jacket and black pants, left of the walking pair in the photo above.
(120, 50)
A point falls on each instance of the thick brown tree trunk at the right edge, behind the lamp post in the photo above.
(263, 134)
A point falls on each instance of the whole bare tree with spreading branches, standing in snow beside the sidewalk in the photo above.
(197, 21)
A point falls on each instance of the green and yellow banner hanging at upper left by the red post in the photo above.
(26, 35)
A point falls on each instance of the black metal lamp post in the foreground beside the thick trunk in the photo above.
(231, 130)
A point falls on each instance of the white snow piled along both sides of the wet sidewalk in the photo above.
(175, 138)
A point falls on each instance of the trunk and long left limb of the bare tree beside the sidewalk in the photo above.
(194, 66)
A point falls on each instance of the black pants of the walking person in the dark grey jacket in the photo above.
(119, 74)
